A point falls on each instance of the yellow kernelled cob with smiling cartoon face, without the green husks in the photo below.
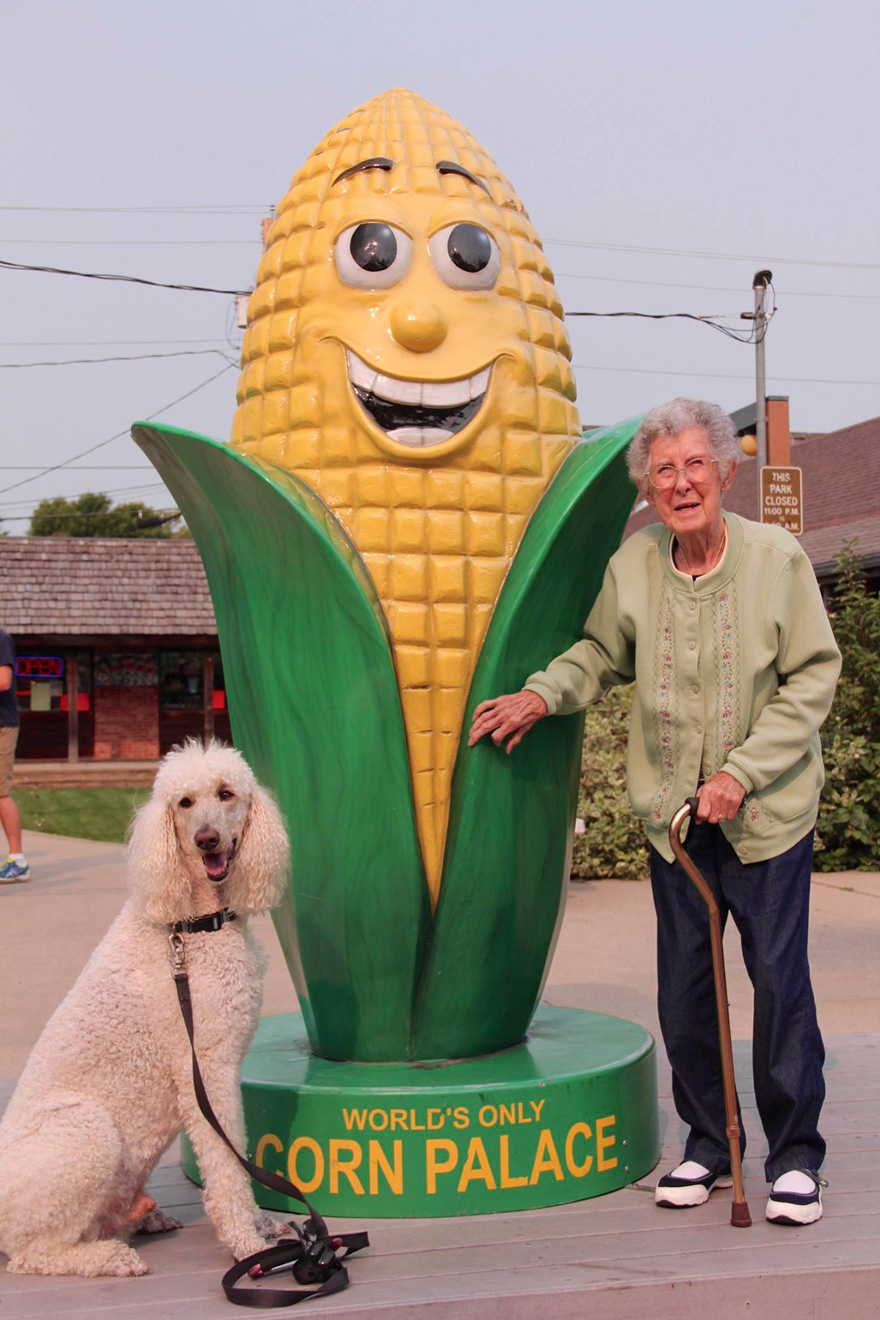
(406, 358)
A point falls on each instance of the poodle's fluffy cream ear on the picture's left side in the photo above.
(156, 872)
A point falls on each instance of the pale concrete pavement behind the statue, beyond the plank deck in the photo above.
(605, 959)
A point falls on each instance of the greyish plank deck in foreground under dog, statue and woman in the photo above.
(610, 1259)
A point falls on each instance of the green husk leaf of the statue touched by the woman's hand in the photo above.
(513, 818)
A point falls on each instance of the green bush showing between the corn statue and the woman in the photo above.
(614, 845)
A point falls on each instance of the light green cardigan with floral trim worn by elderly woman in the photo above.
(734, 671)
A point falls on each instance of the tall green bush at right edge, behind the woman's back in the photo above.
(849, 831)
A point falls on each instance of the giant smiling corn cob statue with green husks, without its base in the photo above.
(412, 523)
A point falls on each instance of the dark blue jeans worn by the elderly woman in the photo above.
(770, 904)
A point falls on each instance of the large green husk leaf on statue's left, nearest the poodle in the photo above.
(315, 708)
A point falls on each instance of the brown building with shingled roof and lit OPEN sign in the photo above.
(118, 655)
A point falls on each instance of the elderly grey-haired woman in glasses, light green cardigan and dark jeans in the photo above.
(721, 625)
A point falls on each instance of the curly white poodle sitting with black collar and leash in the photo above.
(109, 1084)
